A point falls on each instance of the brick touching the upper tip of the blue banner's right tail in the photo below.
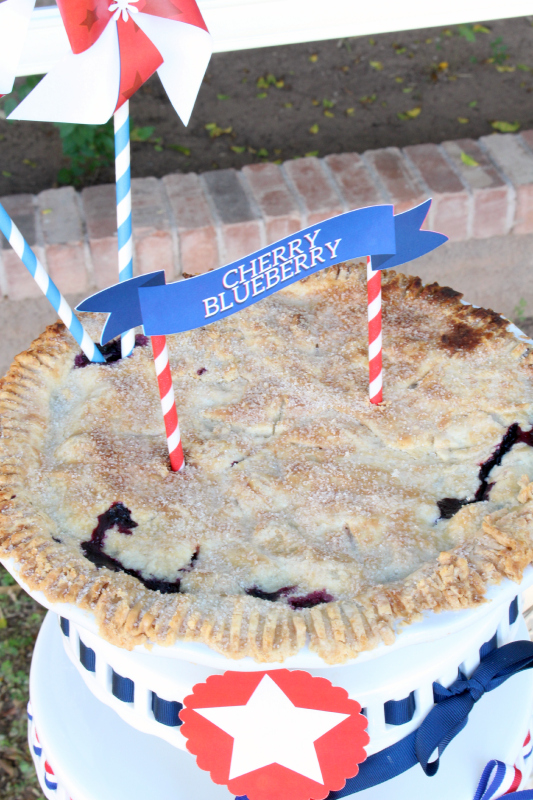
(450, 207)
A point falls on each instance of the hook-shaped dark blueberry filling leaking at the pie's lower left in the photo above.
(118, 516)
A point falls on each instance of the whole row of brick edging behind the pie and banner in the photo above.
(188, 224)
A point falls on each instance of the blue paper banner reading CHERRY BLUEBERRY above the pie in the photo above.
(164, 309)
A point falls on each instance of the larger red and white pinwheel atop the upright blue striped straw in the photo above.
(116, 46)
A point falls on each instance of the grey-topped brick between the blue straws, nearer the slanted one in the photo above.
(63, 239)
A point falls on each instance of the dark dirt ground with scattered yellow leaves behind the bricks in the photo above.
(285, 102)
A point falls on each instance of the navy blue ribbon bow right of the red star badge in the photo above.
(445, 720)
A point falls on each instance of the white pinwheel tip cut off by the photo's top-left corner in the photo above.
(14, 20)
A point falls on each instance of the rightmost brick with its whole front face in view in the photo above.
(492, 197)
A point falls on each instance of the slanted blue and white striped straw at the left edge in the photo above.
(48, 287)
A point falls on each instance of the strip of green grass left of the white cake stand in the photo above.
(20, 619)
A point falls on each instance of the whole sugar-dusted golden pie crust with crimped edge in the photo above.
(304, 514)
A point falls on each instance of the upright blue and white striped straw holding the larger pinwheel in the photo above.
(123, 179)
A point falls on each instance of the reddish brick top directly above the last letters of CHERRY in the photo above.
(316, 193)
